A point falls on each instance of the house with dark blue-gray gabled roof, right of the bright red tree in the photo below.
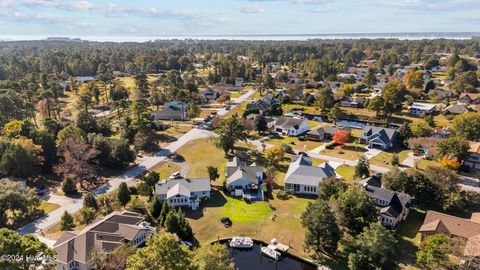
(378, 137)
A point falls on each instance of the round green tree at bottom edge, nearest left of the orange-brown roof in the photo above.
(375, 248)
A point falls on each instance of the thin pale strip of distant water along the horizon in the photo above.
(329, 36)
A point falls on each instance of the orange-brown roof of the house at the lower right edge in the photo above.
(456, 226)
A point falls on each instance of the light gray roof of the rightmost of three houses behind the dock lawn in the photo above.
(302, 172)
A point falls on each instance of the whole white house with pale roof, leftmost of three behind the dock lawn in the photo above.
(179, 191)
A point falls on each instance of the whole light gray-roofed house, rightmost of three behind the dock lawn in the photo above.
(303, 178)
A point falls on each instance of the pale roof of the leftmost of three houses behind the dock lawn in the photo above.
(182, 186)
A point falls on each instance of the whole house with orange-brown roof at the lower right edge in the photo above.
(452, 226)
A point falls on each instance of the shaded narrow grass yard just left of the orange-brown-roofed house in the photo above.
(410, 238)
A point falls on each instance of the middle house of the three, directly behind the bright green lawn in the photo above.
(244, 180)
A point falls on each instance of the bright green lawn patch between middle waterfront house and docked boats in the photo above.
(240, 211)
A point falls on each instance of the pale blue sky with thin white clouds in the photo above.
(227, 17)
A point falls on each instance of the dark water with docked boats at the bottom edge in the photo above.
(253, 259)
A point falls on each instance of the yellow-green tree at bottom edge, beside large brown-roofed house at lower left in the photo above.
(162, 252)
